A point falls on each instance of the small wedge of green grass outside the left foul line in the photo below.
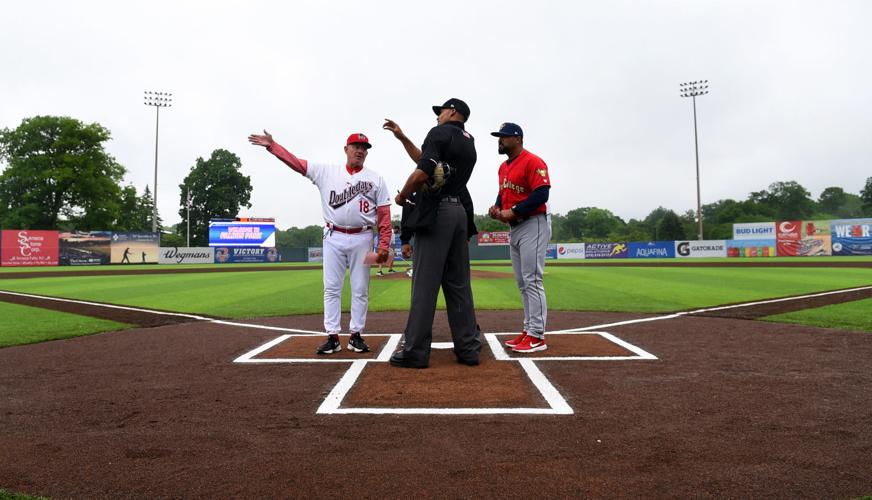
(29, 325)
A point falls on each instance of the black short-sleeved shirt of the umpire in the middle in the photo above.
(449, 143)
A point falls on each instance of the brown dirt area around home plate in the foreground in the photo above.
(730, 408)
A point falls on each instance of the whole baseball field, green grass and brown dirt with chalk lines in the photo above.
(717, 379)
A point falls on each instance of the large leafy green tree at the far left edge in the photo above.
(57, 170)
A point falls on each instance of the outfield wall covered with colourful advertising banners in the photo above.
(846, 237)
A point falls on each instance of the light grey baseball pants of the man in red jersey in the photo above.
(528, 243)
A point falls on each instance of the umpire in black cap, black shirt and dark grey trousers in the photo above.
(441, 252)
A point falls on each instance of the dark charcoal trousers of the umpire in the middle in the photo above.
(441, 257)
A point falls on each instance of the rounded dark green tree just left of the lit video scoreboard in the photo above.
(218, 191)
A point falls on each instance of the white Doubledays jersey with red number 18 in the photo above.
(349, 200)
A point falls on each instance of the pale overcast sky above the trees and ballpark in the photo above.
(593, 84)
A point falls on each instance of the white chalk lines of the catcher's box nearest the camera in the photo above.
(557, 405)
